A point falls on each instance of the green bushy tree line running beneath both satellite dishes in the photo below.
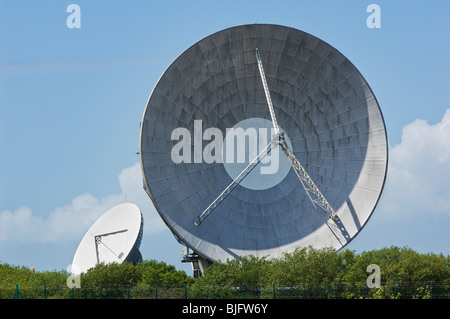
(313, 267)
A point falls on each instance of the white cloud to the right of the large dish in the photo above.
(418, 180)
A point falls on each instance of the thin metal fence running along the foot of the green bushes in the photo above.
(428, 290)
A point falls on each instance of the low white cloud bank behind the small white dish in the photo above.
(73, 220)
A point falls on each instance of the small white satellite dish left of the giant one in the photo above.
(114, 237)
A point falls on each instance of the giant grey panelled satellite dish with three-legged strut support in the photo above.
(325, 136)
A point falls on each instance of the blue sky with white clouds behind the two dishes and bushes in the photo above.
(71, 101)
